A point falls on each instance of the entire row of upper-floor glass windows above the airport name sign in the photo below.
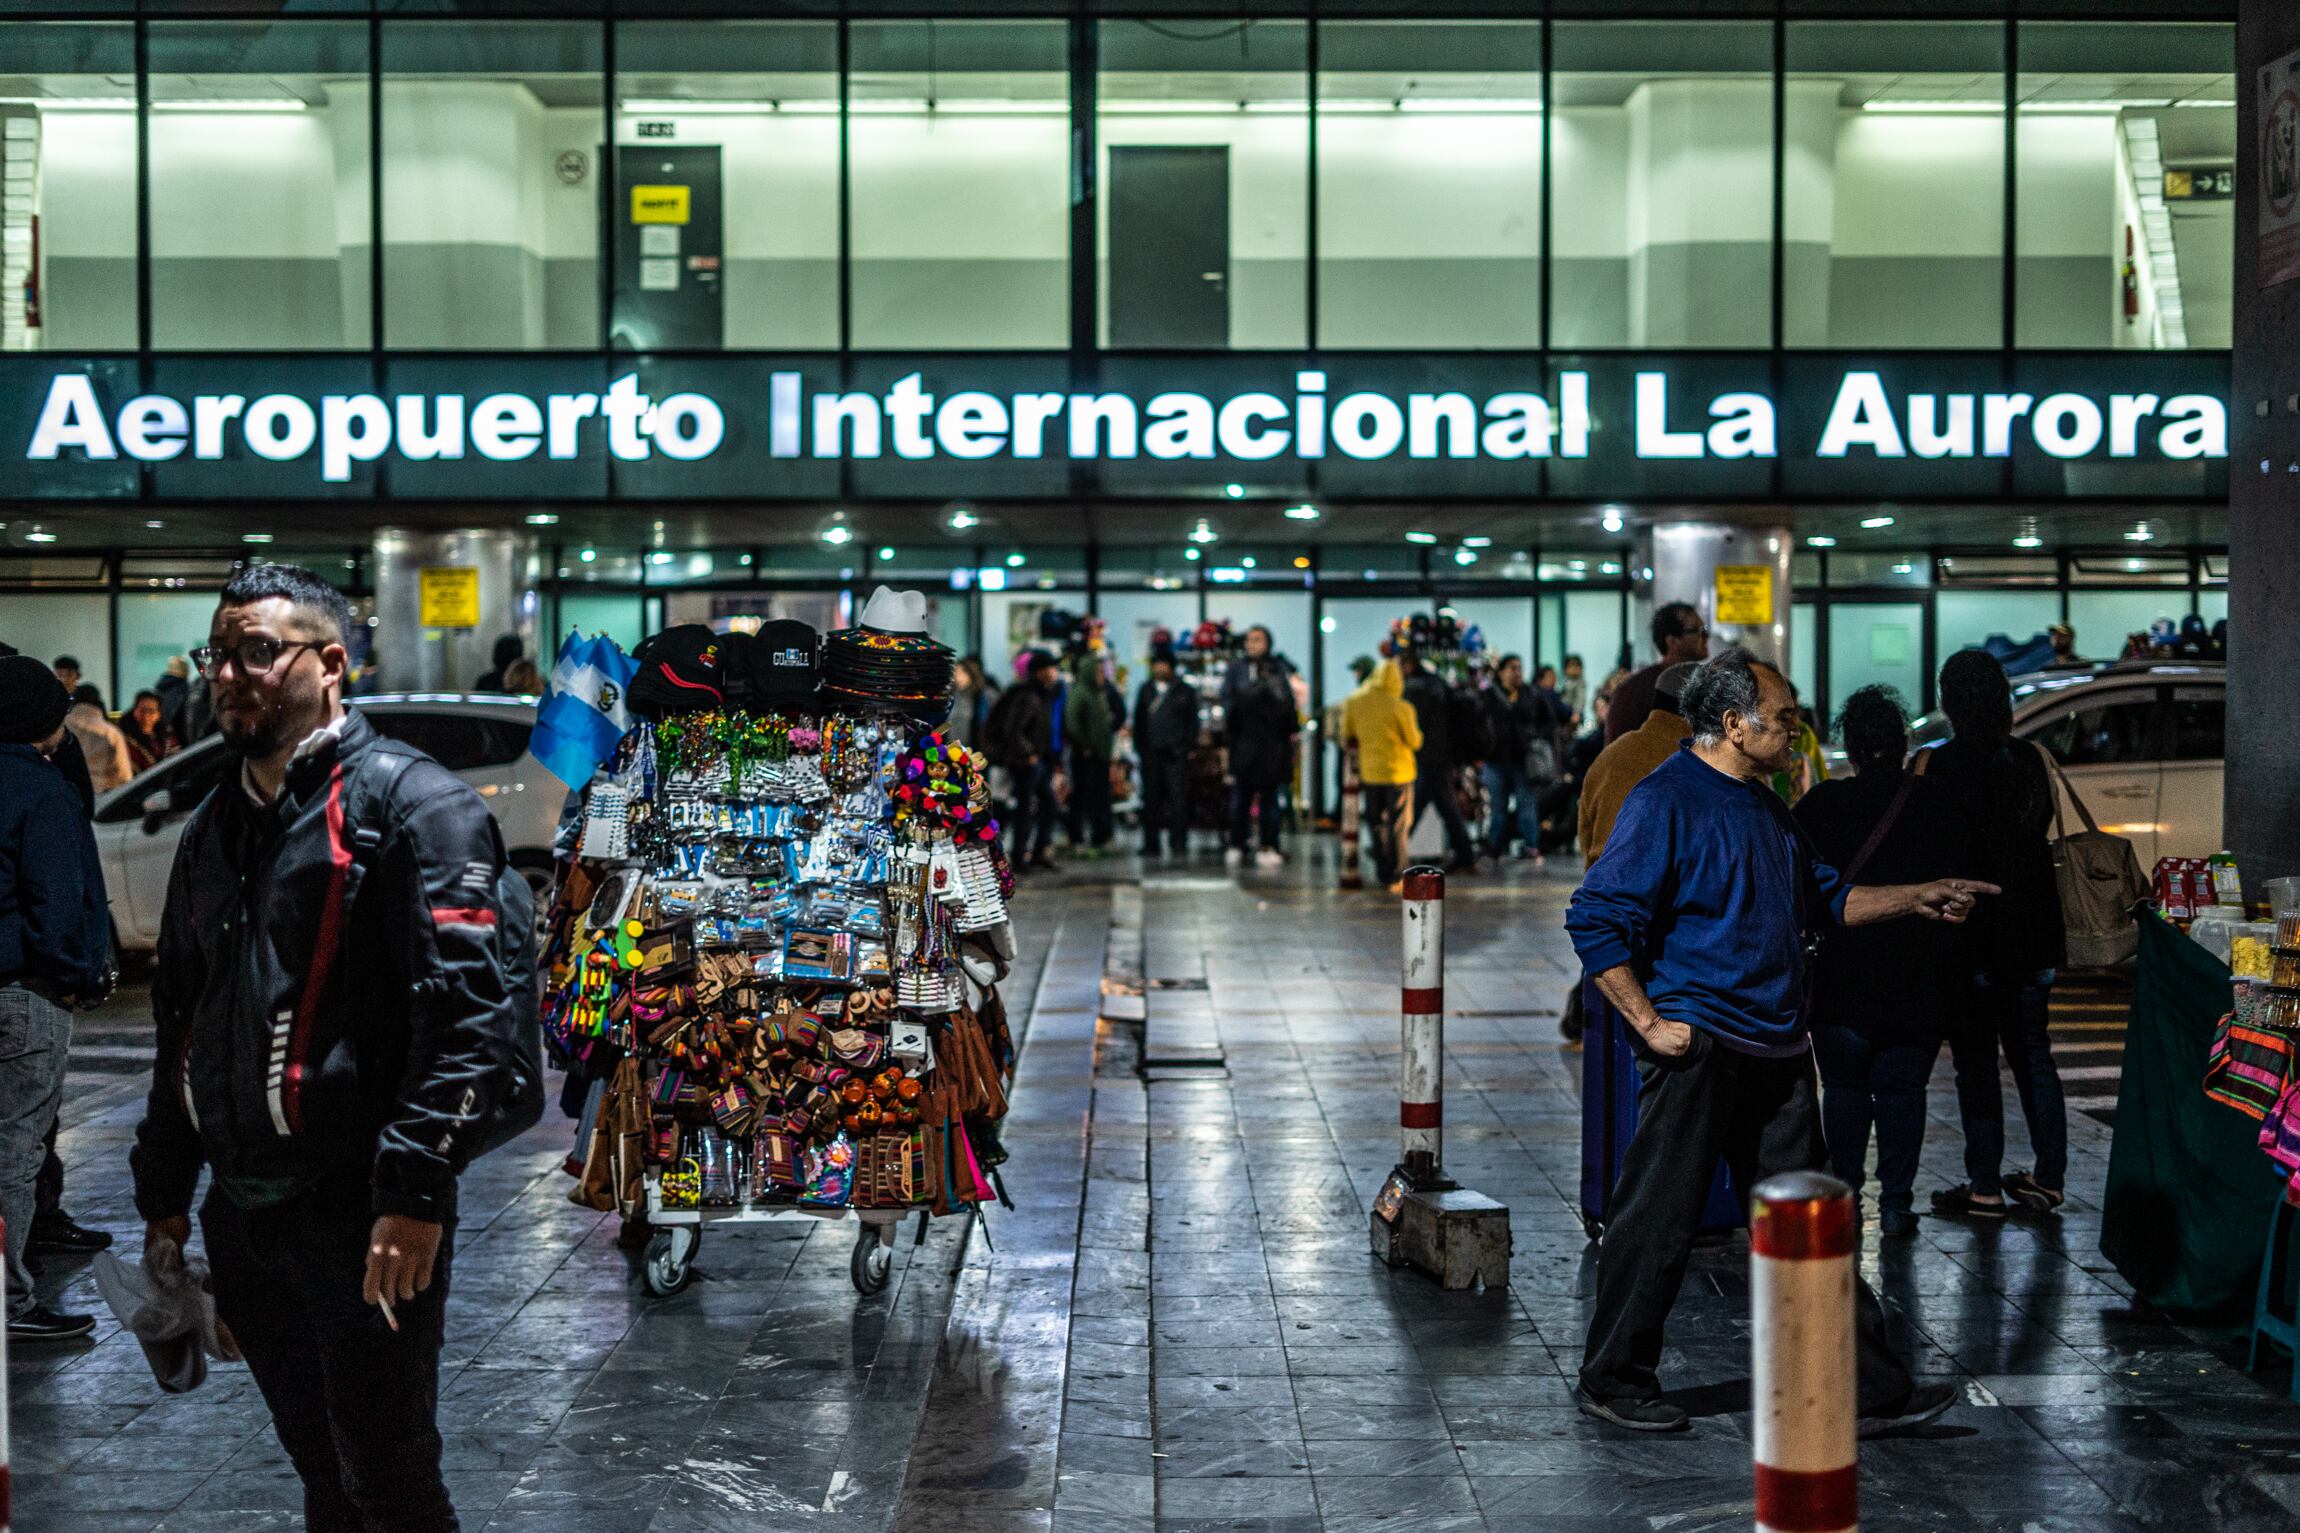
(723, 185)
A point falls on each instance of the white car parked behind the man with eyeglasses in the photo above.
(482, 739)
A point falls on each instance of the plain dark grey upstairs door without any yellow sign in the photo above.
(1172, 247)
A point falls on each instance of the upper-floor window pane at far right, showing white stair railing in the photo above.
(2126, 229)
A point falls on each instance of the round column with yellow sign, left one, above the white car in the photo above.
(420, 658)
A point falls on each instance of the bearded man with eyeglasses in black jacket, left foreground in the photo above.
(332, 1010)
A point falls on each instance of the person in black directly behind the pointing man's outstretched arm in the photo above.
(1880, 994)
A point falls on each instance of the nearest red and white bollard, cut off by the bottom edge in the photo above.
(1802, 1238)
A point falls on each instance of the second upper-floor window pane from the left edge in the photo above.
(261, 185)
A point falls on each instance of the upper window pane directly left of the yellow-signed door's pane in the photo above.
(491, 185)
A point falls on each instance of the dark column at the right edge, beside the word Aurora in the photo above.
(2264, 539)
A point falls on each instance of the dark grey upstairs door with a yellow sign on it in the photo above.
(668, 249)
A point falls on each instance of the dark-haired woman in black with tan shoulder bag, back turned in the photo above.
(2014, 946)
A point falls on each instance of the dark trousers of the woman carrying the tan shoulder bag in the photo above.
(2009, 1012)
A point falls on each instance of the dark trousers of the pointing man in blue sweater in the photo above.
(1765, 1120)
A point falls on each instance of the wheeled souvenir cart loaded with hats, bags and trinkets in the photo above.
(783, 941)
